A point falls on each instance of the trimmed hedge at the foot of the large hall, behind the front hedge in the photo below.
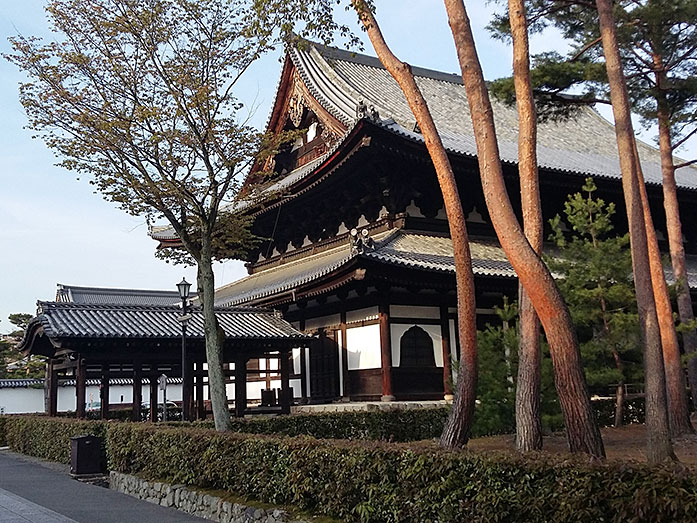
(382, 425)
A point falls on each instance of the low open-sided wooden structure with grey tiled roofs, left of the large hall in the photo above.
(98, 340)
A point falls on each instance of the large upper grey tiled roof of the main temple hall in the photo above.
(584, 145)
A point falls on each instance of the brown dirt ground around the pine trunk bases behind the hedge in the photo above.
(624, 443)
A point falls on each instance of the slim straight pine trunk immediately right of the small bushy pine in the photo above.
(658, 447)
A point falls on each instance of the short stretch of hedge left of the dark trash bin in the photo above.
(47, 438)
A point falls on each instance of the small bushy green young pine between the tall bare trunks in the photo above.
(595, 270)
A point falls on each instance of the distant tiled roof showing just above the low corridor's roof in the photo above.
(103, 296)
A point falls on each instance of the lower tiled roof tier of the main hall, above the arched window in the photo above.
(423, 251)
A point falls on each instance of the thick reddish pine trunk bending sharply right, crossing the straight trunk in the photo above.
(581, 427)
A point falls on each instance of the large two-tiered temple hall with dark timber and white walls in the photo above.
(358, 252)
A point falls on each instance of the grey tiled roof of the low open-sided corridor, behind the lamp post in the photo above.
(72, 320)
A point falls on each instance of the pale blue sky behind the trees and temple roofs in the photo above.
(53, 229)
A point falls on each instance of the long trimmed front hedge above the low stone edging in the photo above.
(370, 481)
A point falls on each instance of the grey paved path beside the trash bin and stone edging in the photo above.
(44, 493)
